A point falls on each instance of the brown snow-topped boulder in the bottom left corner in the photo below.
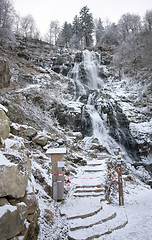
(12, 220)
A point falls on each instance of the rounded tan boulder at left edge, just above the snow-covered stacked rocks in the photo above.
(4, 124)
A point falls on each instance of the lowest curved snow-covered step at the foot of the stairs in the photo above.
(96, 231)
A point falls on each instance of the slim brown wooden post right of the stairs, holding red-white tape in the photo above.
(119, 163)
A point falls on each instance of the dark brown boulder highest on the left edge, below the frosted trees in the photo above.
(5, 75)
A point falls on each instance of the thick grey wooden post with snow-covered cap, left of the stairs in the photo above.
(57, 172)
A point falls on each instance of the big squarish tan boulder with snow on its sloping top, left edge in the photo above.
(12, 182)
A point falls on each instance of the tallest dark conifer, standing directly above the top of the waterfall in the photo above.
(87, 26)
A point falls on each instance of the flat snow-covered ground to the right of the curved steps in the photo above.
(138, 207)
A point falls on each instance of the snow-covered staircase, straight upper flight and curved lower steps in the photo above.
(89, 214)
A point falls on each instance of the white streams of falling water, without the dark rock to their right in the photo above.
(88, 85)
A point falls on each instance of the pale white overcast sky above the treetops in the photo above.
(45, 11)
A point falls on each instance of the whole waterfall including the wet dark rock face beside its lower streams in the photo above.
(101, 117)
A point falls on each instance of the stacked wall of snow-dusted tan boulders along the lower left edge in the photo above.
(19, 209)
